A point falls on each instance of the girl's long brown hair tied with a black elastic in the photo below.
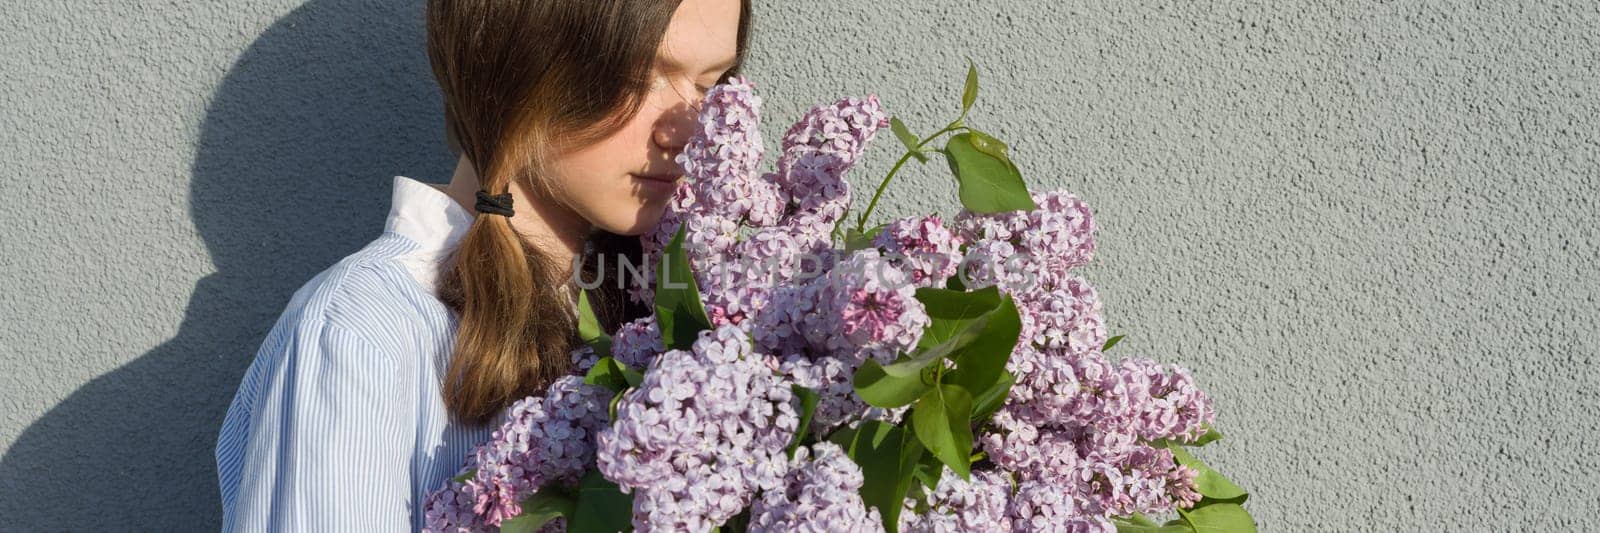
(524, 79)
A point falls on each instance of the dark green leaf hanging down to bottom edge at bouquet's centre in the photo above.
(889, 459)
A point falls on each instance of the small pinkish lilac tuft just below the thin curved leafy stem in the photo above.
(922, 247)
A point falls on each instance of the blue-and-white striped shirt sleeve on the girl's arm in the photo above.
(318, 439)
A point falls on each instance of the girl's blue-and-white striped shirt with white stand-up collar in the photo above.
(340, 425)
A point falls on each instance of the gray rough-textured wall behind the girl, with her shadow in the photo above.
(1367, 226)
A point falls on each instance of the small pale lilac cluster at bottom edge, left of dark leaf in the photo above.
(820, 494)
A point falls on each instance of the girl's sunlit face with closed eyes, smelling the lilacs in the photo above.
(623, 183)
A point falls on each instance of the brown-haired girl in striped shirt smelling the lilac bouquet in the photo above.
(390, 367)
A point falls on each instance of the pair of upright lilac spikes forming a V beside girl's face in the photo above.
(790, 214)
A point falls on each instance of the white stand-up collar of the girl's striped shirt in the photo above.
(430, 218)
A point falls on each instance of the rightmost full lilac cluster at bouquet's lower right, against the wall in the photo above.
(1081, 425)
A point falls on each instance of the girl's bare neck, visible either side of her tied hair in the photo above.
(550, 226)
